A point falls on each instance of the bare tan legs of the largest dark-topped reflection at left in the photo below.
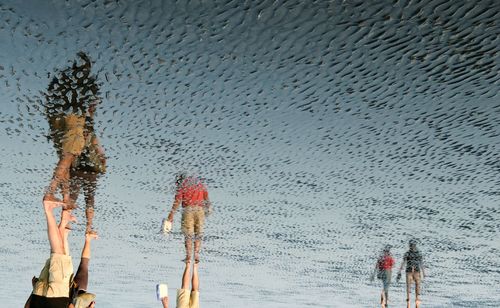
(60, 179)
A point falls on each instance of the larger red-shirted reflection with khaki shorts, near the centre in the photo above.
(193, 195)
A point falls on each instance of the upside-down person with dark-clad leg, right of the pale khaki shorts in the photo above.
(80, 297)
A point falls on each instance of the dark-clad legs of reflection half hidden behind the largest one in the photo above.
(88, 182)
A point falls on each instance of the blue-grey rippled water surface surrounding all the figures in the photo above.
(324, 129)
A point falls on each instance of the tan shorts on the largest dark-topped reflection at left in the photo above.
(73, 140)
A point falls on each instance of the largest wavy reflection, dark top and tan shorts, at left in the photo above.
(67, 101)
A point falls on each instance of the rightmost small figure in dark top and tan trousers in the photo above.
(414, 272)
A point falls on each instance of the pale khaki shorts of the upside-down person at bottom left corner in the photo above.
(54, 277)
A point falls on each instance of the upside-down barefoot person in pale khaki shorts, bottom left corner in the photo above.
(51, 288)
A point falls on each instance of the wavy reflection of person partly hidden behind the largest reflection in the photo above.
(87, 168)
